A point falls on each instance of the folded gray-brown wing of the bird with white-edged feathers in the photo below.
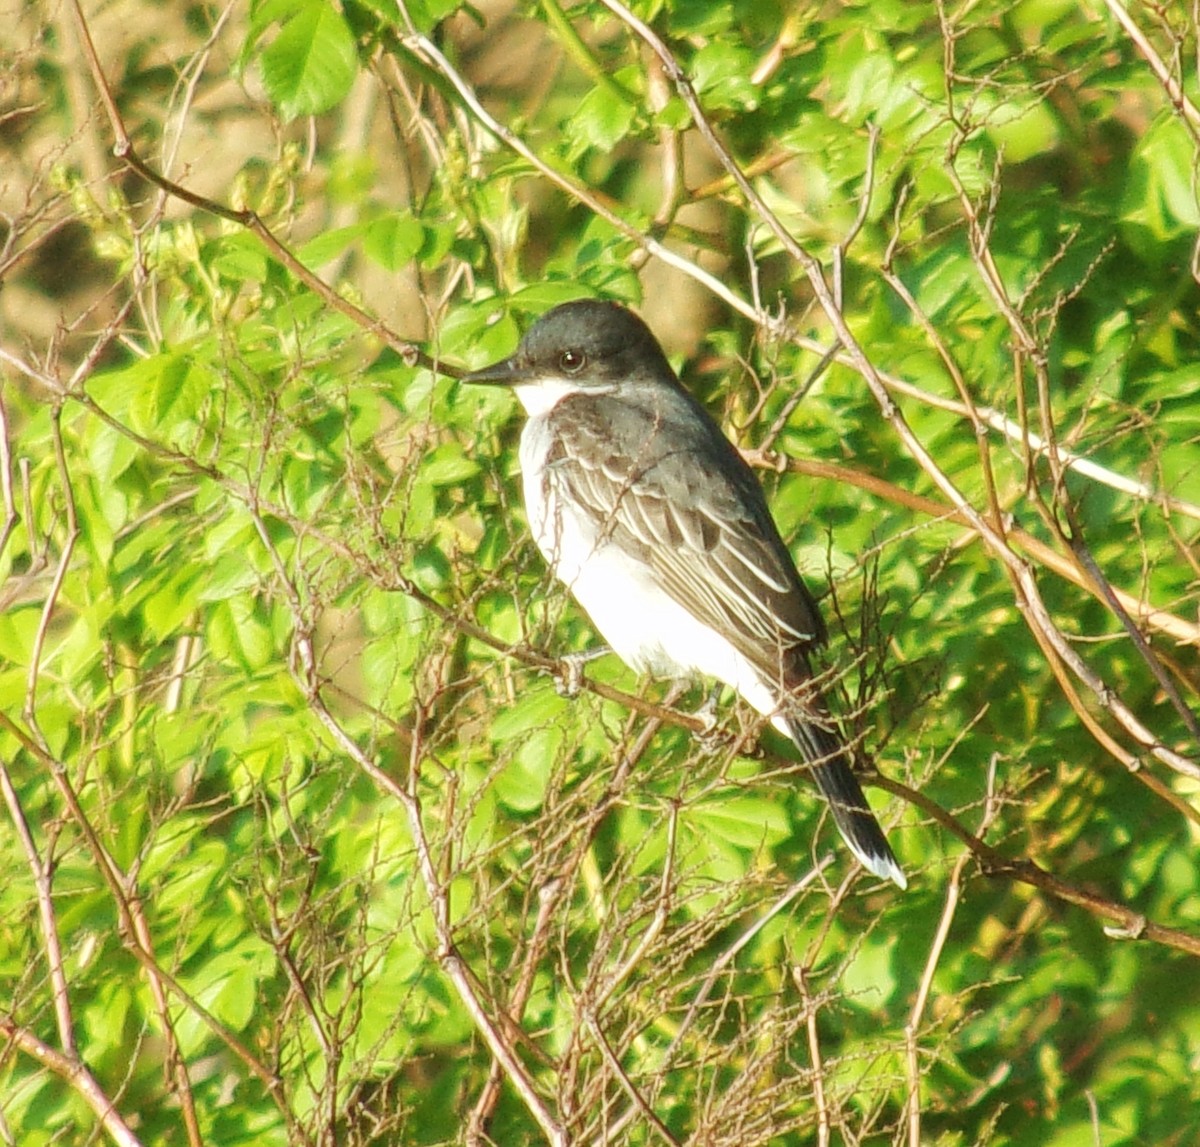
(688, 507)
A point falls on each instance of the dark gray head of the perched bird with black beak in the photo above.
(579, 346)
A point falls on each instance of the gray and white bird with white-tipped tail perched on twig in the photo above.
(661, 531)
